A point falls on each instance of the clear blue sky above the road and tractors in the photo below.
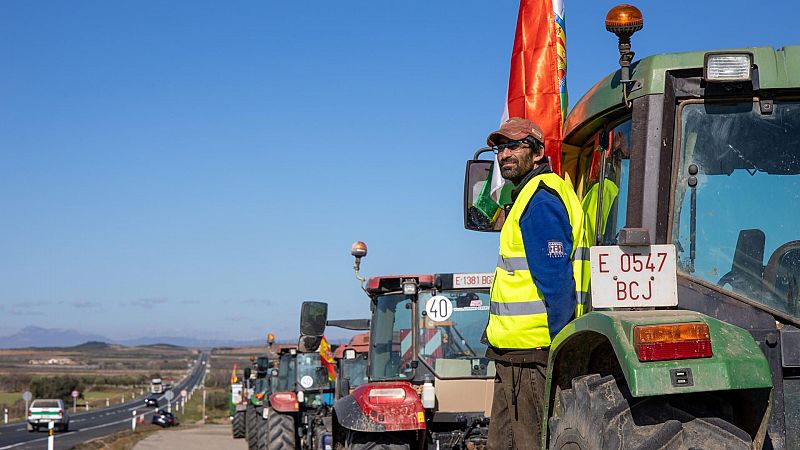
(199, 168)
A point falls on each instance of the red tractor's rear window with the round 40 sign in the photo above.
(453, 347)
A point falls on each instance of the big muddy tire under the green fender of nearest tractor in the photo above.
(599, 413)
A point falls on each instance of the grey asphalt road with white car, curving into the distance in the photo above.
(100, 422)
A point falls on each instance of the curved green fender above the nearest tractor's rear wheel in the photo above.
(602, 341)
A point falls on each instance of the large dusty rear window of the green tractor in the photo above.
(735, 200)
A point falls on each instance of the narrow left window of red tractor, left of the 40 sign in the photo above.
(391, 338)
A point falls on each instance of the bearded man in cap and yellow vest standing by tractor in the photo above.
(534, 291)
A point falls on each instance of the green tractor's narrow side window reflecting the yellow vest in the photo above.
(611, 215)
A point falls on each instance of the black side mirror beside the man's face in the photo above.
(482, 211)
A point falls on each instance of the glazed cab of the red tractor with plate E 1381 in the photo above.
(427, 326)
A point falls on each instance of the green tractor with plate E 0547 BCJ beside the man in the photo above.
(691, 165)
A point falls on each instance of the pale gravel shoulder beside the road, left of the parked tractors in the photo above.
(201, 437)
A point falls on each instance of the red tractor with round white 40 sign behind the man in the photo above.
(430, 384)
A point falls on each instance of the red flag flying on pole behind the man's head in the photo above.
(537, 83)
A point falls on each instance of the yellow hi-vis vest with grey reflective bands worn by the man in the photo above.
(517, 313)
